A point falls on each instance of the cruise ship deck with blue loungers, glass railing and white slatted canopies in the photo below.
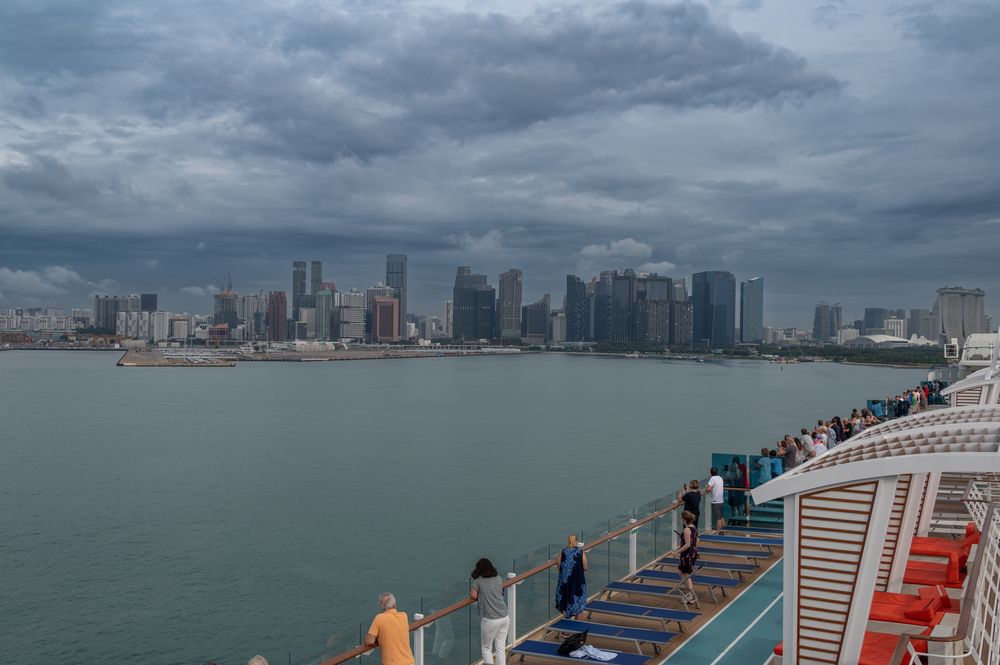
(884, 550)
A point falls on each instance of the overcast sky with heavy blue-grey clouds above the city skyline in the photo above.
(845, 150)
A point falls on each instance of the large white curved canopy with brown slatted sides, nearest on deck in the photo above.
(850, 515)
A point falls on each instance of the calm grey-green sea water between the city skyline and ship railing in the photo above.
(179, 515)
